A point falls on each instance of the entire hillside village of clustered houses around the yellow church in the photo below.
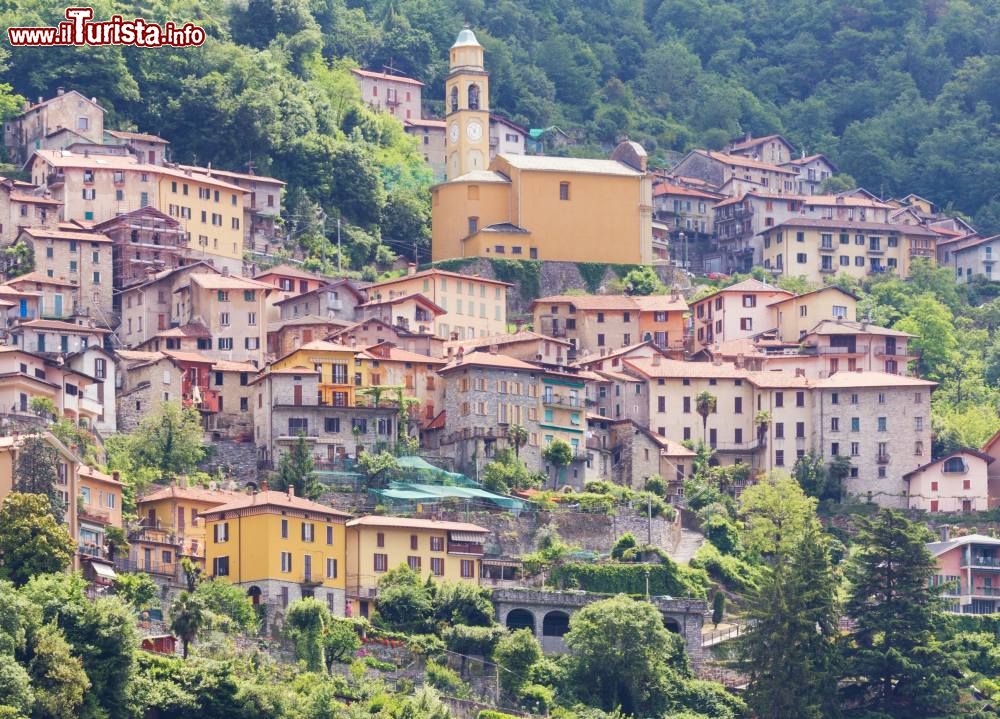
(471, 424)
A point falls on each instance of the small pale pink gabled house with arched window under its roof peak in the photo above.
(956, 482)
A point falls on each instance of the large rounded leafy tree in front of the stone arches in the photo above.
(621, 656)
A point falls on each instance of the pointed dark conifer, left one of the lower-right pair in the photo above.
(791, 653)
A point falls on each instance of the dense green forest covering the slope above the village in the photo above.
(901, 95)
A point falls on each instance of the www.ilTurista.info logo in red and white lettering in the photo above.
(80, 30)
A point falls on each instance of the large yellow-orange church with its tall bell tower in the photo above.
(531, 206)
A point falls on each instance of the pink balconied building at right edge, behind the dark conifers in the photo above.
(968, 573)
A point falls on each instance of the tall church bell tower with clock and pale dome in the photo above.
(467, 108)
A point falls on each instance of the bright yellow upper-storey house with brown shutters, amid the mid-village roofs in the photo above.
(341, 371)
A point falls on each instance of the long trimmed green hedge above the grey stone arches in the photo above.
(614, 578)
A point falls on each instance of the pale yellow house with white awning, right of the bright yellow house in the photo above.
(446, 551)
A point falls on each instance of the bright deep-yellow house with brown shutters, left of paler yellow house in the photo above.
(280, 547)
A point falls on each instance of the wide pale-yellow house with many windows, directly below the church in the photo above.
(475, 306)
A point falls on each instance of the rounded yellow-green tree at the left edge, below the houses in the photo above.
(32, 542)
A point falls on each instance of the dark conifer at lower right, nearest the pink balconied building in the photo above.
(895, 662)
